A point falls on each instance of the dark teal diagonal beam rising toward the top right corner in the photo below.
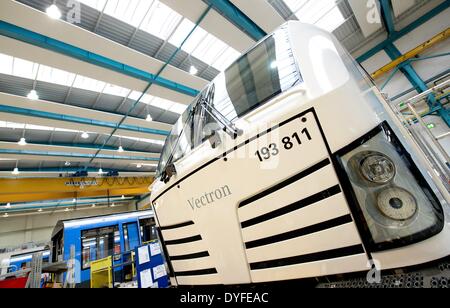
(398, 34)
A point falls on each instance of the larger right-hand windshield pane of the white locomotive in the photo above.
(264, 72)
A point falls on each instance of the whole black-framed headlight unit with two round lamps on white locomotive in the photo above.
(393, 204)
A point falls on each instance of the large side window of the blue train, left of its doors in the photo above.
(98, 244)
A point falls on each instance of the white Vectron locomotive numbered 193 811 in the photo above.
(291, 165)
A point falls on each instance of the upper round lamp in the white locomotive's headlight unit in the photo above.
(377, 168)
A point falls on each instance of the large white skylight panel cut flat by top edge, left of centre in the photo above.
(129, 11)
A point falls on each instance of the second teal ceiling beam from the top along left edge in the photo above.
(79, 120)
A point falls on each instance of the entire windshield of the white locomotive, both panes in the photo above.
(256, 77)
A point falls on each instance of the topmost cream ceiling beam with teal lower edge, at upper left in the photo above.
(60, 36)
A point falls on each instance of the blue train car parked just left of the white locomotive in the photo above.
(98, 237)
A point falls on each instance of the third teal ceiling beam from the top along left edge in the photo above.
(75, 155)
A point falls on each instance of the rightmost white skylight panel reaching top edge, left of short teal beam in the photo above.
(161, 20)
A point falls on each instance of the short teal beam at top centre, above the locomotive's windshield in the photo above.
(238, 18)
